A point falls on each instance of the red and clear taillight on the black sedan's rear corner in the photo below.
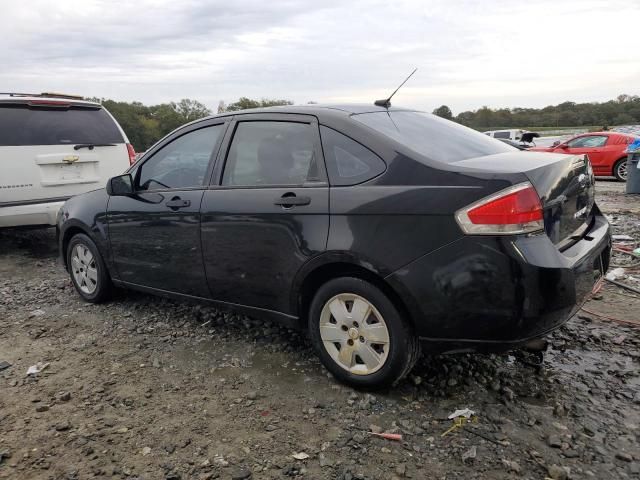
(511, 211)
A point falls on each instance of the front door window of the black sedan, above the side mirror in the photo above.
(182, 163)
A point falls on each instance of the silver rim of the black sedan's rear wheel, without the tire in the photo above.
(354, 334)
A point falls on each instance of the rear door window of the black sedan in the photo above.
(271, 153)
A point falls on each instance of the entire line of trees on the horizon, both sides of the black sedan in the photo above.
(146, 124)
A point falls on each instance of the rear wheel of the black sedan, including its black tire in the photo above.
(360, 335)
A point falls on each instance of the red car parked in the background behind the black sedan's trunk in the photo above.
(606, 150)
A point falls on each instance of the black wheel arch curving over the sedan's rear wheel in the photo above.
(319, 274)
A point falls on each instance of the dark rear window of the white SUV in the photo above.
(22, 125)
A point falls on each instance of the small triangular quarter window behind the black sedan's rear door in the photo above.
(348, 162)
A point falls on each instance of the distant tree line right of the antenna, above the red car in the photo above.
(625, 109)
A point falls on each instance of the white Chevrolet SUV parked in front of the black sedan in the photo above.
(52, 147)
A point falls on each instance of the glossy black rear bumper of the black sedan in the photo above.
(492, 293)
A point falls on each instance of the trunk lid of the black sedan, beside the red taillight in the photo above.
(565, 184)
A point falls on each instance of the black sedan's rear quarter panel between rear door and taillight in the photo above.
(407, 211)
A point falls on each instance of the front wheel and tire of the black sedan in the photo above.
(87, 270)
